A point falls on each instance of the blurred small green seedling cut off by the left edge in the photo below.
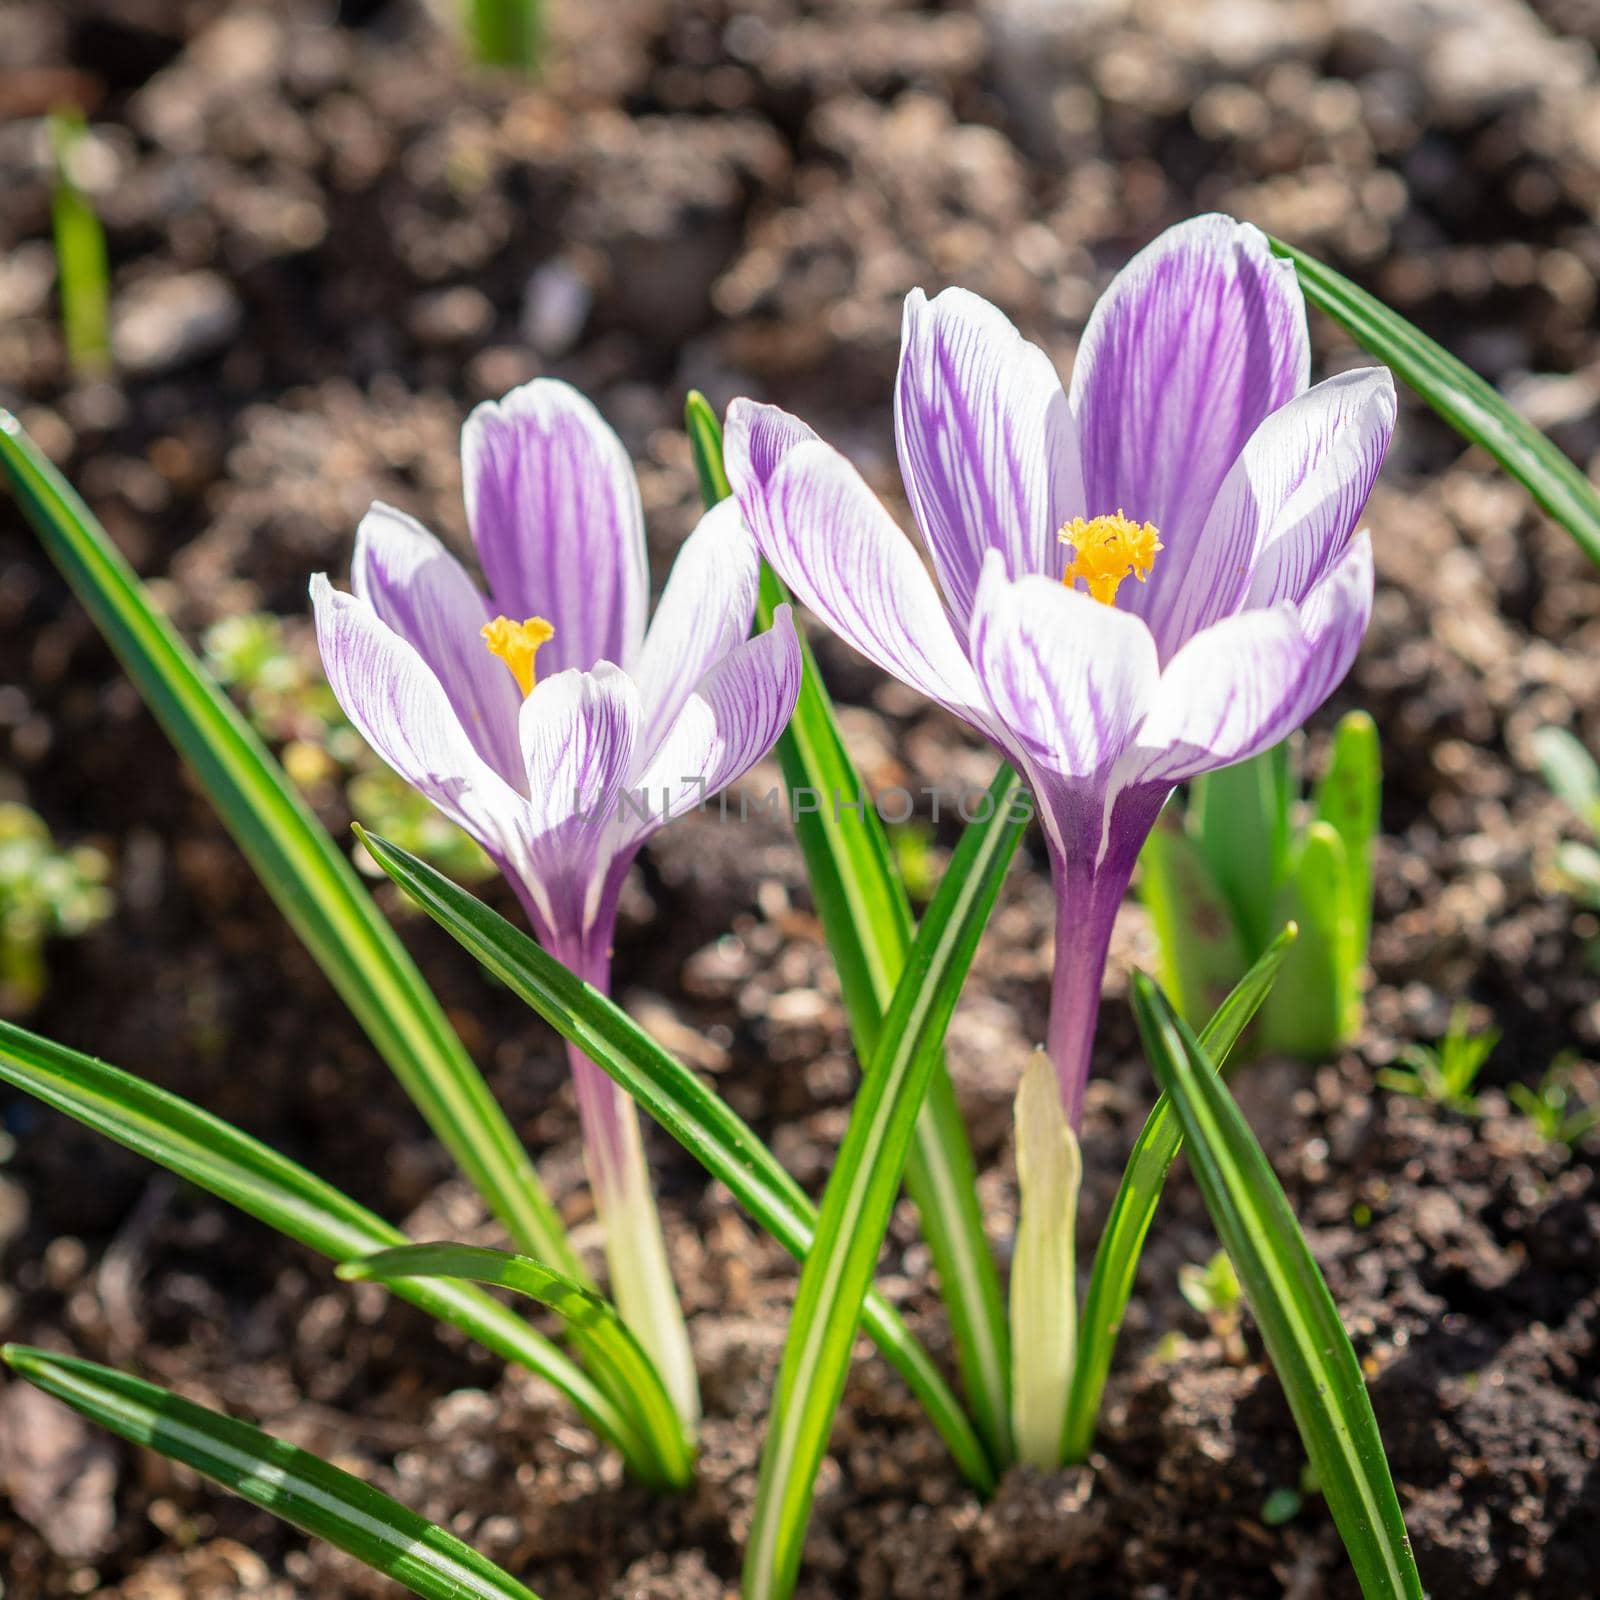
(46, 894)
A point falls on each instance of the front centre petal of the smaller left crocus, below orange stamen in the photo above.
(578, 735)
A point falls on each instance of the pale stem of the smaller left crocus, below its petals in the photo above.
(625, 1201)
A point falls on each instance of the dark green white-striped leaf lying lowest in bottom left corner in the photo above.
(270, 1473)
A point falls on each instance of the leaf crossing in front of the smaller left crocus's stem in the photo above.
(666, 1090)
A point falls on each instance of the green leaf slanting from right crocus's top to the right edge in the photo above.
(1463, 399)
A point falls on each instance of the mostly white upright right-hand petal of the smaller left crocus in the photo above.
(703, 615)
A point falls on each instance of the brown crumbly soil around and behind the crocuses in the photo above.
(329, 241)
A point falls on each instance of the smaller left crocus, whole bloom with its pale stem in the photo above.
(556, 729)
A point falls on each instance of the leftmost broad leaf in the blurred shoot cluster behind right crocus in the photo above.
(1194, 926)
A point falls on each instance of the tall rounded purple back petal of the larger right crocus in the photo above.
(1194, 345)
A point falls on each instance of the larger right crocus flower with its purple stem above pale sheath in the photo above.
(1142, 578)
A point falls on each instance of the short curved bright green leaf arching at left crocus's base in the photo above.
(596, 1329)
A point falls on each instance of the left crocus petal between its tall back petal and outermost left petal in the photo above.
(425, 594)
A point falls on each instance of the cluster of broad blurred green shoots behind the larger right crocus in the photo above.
(1246, 857)
